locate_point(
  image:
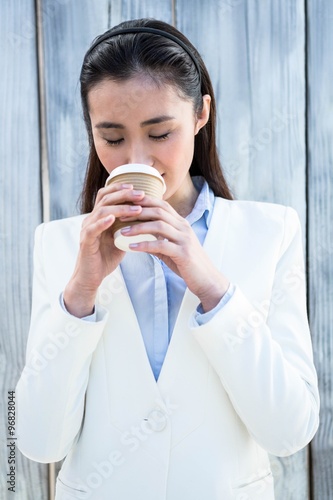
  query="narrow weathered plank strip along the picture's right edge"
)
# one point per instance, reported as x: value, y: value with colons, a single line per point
x: 320, y: 196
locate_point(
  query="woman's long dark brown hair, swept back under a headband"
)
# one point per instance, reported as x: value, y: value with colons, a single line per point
x: 124, y: 56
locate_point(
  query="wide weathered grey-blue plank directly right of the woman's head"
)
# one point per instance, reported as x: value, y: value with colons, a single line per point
x: 254, y: 52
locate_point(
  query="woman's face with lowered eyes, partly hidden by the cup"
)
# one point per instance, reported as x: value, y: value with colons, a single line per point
x: 137, y: 121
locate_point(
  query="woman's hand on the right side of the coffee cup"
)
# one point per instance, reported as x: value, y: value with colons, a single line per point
x: 180, y: 249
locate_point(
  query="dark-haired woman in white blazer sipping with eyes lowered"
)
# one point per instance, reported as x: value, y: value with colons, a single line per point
x: 170, y: 371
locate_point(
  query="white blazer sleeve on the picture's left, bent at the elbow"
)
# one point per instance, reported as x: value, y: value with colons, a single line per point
x: 50, y: 393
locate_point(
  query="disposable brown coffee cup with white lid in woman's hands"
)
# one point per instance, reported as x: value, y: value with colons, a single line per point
x: 143, y: 178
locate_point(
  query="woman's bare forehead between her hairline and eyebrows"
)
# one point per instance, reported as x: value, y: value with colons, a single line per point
x: 136, y: 96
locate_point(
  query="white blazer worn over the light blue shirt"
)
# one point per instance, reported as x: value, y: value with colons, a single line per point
x: 230, y: 391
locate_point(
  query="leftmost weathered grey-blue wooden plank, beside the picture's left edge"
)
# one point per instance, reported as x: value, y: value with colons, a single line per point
x: 20, y: 213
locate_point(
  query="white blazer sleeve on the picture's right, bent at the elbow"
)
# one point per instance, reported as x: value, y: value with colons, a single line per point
x: 263, y: 354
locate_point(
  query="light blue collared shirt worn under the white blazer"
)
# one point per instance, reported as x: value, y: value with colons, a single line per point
x: 156, y: 292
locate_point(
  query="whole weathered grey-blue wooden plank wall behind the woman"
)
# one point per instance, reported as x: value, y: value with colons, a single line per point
x: 269, y: 63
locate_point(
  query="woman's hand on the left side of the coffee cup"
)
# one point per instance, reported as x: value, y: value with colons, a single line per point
x: 98, y: 256
